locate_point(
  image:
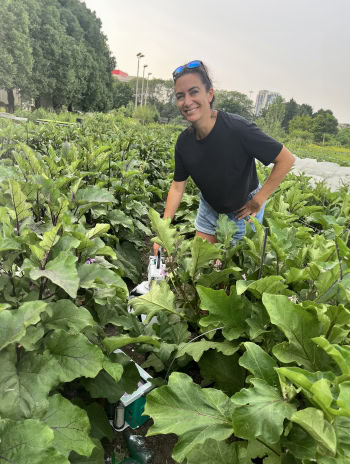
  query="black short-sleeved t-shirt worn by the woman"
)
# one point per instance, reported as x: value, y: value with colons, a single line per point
x: 223, y: 164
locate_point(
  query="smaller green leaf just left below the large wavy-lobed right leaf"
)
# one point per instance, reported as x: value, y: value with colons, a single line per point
x: 259, y: 363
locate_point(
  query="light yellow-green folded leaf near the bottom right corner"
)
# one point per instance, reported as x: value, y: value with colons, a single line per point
x: 312, y: 420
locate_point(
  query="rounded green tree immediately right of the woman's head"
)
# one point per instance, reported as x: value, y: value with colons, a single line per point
x: 234, y: 102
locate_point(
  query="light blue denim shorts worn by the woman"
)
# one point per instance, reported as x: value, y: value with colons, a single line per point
x: 207, y: 217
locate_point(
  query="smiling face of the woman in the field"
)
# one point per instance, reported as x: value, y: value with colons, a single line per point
x: 192, y: 98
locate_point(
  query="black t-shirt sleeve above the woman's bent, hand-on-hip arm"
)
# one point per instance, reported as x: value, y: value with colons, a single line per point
x: 258, y: 144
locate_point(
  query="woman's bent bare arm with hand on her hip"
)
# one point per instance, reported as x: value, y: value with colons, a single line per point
x: 282, y: 165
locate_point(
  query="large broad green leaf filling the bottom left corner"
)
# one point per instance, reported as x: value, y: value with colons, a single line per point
x: 28, y: 442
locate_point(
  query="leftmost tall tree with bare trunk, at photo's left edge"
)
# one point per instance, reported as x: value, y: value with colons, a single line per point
x: 15, y: 48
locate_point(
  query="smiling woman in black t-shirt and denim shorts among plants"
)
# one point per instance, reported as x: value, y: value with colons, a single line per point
x: 218, y: 151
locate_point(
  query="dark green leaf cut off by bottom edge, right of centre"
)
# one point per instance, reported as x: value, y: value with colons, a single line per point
x: 216, y: 452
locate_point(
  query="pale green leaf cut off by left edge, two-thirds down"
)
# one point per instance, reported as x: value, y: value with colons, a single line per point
x: 13, y: 322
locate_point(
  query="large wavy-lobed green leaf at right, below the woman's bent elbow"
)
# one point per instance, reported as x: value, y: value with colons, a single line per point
x: 299, y: 324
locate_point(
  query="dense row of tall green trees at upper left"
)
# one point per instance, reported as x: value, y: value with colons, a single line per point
x: 55, y: 52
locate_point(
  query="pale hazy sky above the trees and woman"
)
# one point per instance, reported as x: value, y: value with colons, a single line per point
x: 299, y: 48
